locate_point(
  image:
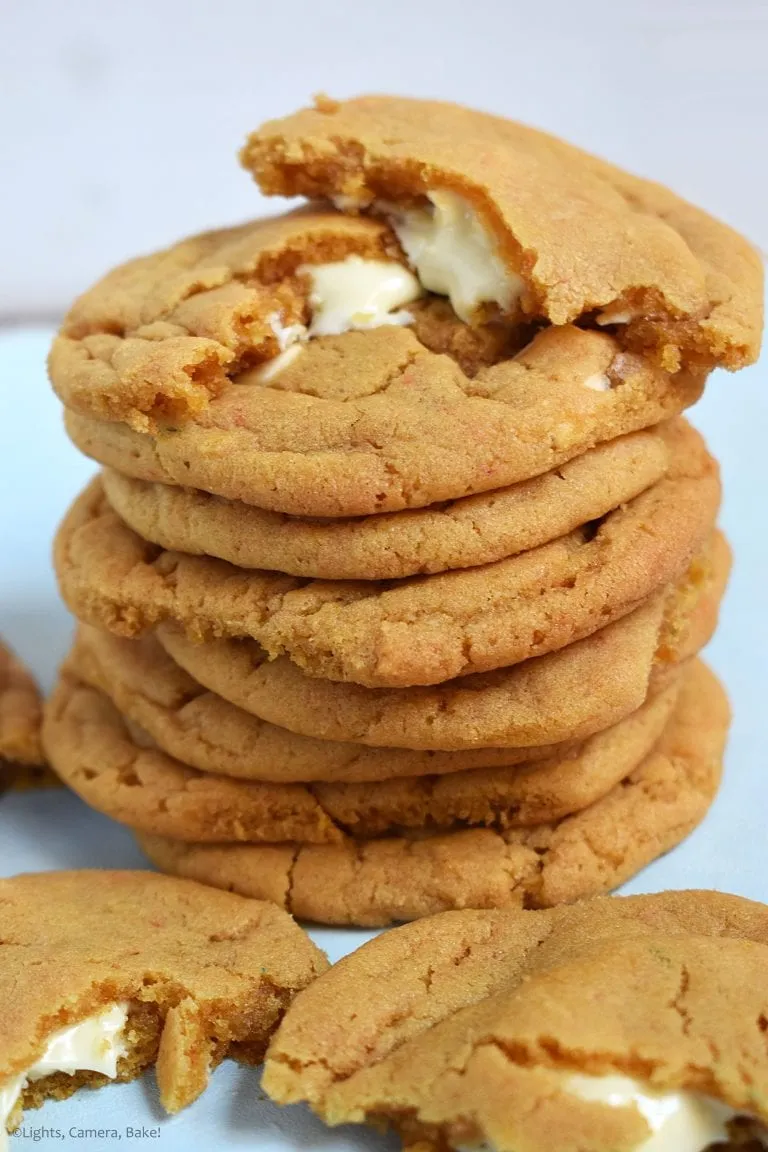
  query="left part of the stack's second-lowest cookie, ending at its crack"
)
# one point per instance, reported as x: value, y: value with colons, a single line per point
x: 113, y: 770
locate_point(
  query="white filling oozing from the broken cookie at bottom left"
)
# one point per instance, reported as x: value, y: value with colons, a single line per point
x: 95, y: 1045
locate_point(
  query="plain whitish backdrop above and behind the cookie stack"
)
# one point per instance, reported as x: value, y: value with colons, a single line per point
x: 119, y: 119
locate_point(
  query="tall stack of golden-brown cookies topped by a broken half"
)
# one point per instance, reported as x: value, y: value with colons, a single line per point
x: 394, y: 580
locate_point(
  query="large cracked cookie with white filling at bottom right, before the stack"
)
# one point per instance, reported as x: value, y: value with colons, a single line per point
x: 478, y: 1035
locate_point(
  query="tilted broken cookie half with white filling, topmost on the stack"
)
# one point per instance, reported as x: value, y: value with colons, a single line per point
x: 536, y: 226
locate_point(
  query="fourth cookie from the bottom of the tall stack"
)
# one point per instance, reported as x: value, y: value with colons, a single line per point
x: 568, y: 695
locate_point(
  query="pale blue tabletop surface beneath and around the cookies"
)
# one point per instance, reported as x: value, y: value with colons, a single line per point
x: 41, y: 473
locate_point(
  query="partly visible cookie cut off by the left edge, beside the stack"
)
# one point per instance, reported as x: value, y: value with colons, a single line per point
x: 22, y: 763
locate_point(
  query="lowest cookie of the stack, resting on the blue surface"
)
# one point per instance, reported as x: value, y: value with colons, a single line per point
x: 378, y: 882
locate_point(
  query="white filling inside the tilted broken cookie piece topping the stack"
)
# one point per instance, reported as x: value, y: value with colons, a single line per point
x: 454, y: 254
